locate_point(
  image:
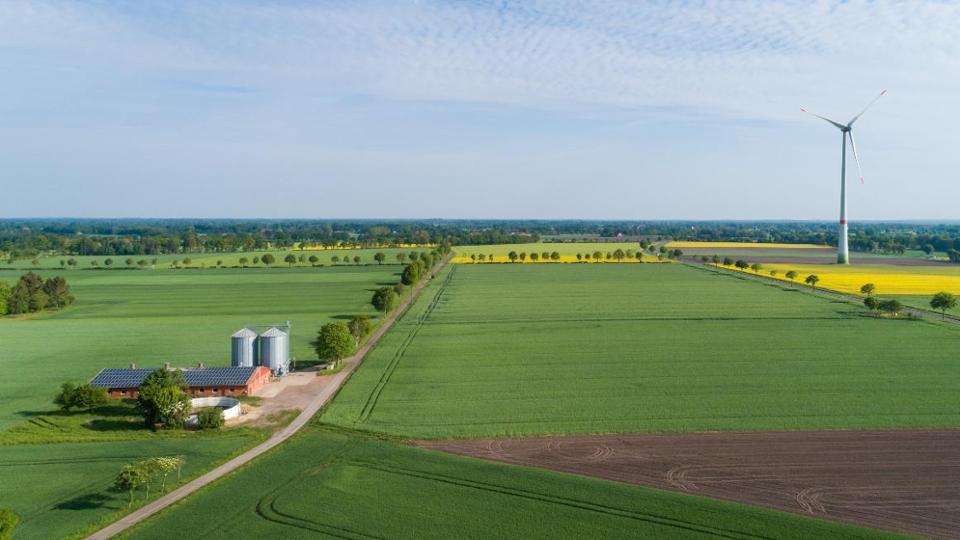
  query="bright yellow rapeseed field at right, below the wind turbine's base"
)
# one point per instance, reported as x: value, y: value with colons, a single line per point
x: 889, y: 279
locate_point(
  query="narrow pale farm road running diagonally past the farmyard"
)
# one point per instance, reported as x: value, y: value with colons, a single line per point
x: 319, y: 400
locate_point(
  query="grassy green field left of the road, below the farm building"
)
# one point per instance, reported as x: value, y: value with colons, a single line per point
x: 59, y: 490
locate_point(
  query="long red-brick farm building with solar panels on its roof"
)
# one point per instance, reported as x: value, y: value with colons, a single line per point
x: 202, y: 381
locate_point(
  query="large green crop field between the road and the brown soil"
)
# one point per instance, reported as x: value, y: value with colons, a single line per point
x: 494, y: 350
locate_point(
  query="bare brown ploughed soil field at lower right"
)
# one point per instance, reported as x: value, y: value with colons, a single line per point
x: 905, y: 481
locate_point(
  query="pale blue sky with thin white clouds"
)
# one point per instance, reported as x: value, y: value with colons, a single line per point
x: 601, y: 109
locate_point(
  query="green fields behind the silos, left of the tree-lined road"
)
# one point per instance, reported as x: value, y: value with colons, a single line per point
x: 177, y: 316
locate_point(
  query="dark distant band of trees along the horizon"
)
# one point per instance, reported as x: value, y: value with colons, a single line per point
x: 31, y: 237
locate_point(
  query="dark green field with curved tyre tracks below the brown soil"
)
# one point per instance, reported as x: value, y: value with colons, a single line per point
x: 330, y: 484
